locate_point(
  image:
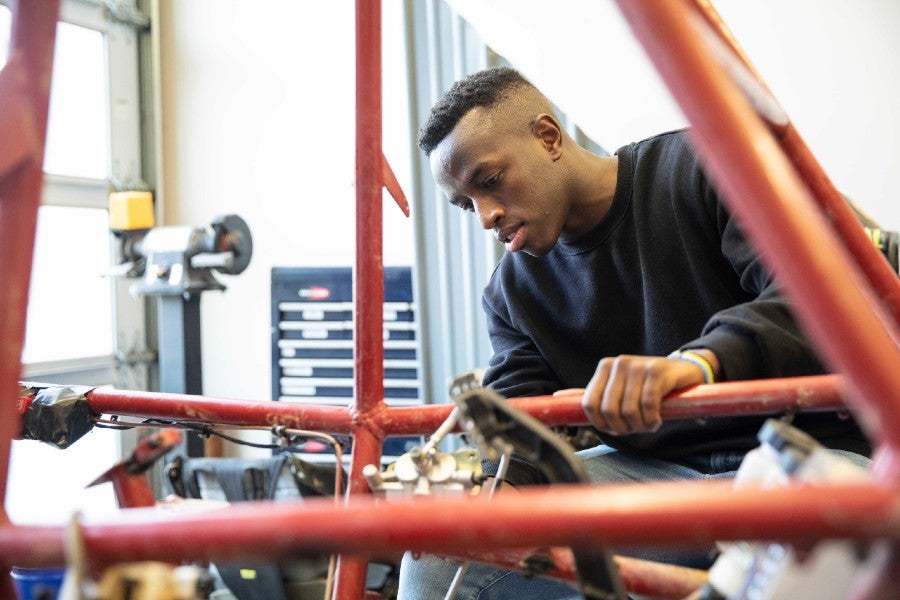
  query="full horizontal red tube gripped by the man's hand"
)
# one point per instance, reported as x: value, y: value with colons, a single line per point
x: 757, y: 397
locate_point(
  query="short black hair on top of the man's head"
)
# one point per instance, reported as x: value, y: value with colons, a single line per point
x: 484, y: 88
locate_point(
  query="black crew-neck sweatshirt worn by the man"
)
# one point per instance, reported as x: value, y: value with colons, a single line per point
x: 666, y: 269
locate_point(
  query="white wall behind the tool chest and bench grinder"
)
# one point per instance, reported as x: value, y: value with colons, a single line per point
x: 258, y: 119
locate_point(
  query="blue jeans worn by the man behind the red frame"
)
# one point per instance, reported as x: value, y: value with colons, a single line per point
x: 429, y: 577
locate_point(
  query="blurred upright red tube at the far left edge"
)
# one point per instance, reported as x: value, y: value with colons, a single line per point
x: 32, y: 40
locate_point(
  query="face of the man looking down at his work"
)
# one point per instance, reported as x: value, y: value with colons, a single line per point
x: 506, y: 176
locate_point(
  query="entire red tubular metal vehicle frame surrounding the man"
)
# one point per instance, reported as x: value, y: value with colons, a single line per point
x: 754, y: 163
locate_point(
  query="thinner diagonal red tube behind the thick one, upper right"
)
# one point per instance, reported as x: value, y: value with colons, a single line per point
x: 873, y: 264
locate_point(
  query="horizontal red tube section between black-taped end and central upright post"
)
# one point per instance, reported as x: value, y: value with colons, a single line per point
x: 204, y: 409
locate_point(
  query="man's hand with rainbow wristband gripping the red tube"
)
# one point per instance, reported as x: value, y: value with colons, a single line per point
x: 625, y: 392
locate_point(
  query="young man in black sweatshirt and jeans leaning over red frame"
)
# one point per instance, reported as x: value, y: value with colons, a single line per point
x: 624, y: 274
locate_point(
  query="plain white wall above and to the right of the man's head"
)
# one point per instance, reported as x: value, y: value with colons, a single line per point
x: 834, y: 66
